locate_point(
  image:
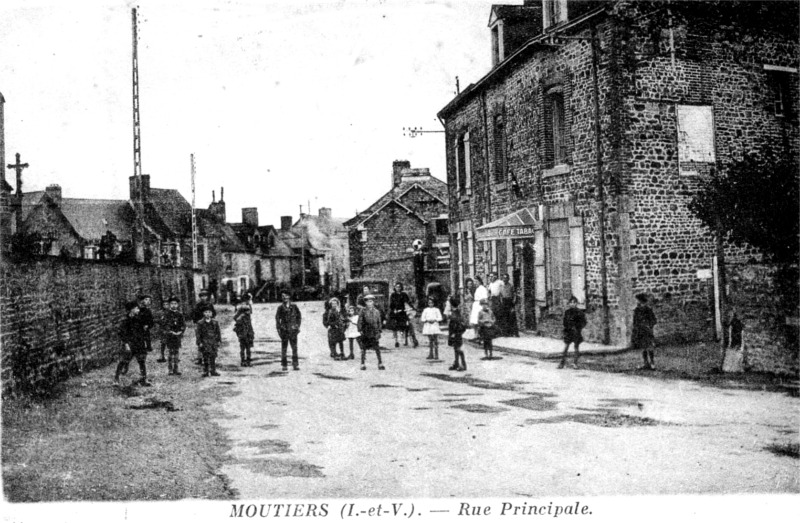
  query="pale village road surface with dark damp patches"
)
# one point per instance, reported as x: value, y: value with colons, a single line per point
x: 514, y: 426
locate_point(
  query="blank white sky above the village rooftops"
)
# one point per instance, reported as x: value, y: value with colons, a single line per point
x: 283, y: 103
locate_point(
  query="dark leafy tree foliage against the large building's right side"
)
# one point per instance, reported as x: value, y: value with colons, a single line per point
x: 755, y: 201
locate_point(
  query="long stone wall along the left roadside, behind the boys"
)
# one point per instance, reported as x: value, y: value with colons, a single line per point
x: 60, y: 317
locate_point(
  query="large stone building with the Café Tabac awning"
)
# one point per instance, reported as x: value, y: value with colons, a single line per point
x: 571, y: 162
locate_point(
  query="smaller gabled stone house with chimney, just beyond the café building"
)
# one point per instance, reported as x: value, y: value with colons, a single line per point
x: 383, y: 236
